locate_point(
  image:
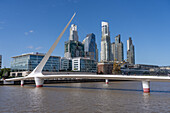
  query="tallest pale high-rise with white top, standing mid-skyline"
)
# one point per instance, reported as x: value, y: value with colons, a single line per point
x: 105, y: 42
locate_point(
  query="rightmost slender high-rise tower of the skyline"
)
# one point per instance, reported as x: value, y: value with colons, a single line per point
x: 130, y: 52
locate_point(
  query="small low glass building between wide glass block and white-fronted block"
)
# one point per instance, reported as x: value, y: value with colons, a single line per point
x: 65, y: 64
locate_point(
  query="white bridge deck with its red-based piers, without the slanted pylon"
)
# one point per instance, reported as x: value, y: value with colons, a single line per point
x: 39, y: 79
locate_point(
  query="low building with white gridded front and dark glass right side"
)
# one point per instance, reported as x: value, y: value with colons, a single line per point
x: 84, y: 65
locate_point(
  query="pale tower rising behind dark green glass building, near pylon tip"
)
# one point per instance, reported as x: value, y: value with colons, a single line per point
x: 73, y: 33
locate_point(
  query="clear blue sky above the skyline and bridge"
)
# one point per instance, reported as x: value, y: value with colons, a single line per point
x: 33, y: 25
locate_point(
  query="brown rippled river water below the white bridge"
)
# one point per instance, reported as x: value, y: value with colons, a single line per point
x: 94, y: 97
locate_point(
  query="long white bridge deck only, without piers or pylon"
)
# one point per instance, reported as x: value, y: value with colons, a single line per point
x: 115, y: 77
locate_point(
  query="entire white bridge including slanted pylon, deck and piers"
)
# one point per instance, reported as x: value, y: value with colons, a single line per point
x: 37, y: 75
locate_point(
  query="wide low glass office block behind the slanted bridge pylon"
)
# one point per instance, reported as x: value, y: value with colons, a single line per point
x: 23, y: 64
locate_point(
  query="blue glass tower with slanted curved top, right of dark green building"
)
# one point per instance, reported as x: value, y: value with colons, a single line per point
x: 90, y: 46
